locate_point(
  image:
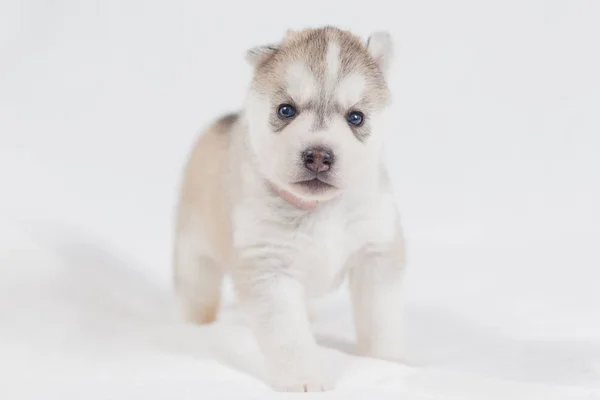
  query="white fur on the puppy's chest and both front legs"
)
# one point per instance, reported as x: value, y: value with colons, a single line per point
x: 285, y: 265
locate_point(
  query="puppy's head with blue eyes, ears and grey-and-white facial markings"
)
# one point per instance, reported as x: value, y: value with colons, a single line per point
x: 316, y: 110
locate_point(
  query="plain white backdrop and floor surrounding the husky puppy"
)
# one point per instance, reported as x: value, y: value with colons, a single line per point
x: 495, y: 159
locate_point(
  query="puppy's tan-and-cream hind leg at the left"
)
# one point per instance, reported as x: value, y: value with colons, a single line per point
x: 198, y: 280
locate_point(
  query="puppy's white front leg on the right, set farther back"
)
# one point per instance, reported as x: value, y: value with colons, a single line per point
x: 375, y: 284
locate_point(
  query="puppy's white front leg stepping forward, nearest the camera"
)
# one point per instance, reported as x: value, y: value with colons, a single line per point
x: 275, y: 303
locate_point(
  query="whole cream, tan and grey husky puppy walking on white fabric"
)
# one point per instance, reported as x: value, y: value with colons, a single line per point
x: 291, y: 195
